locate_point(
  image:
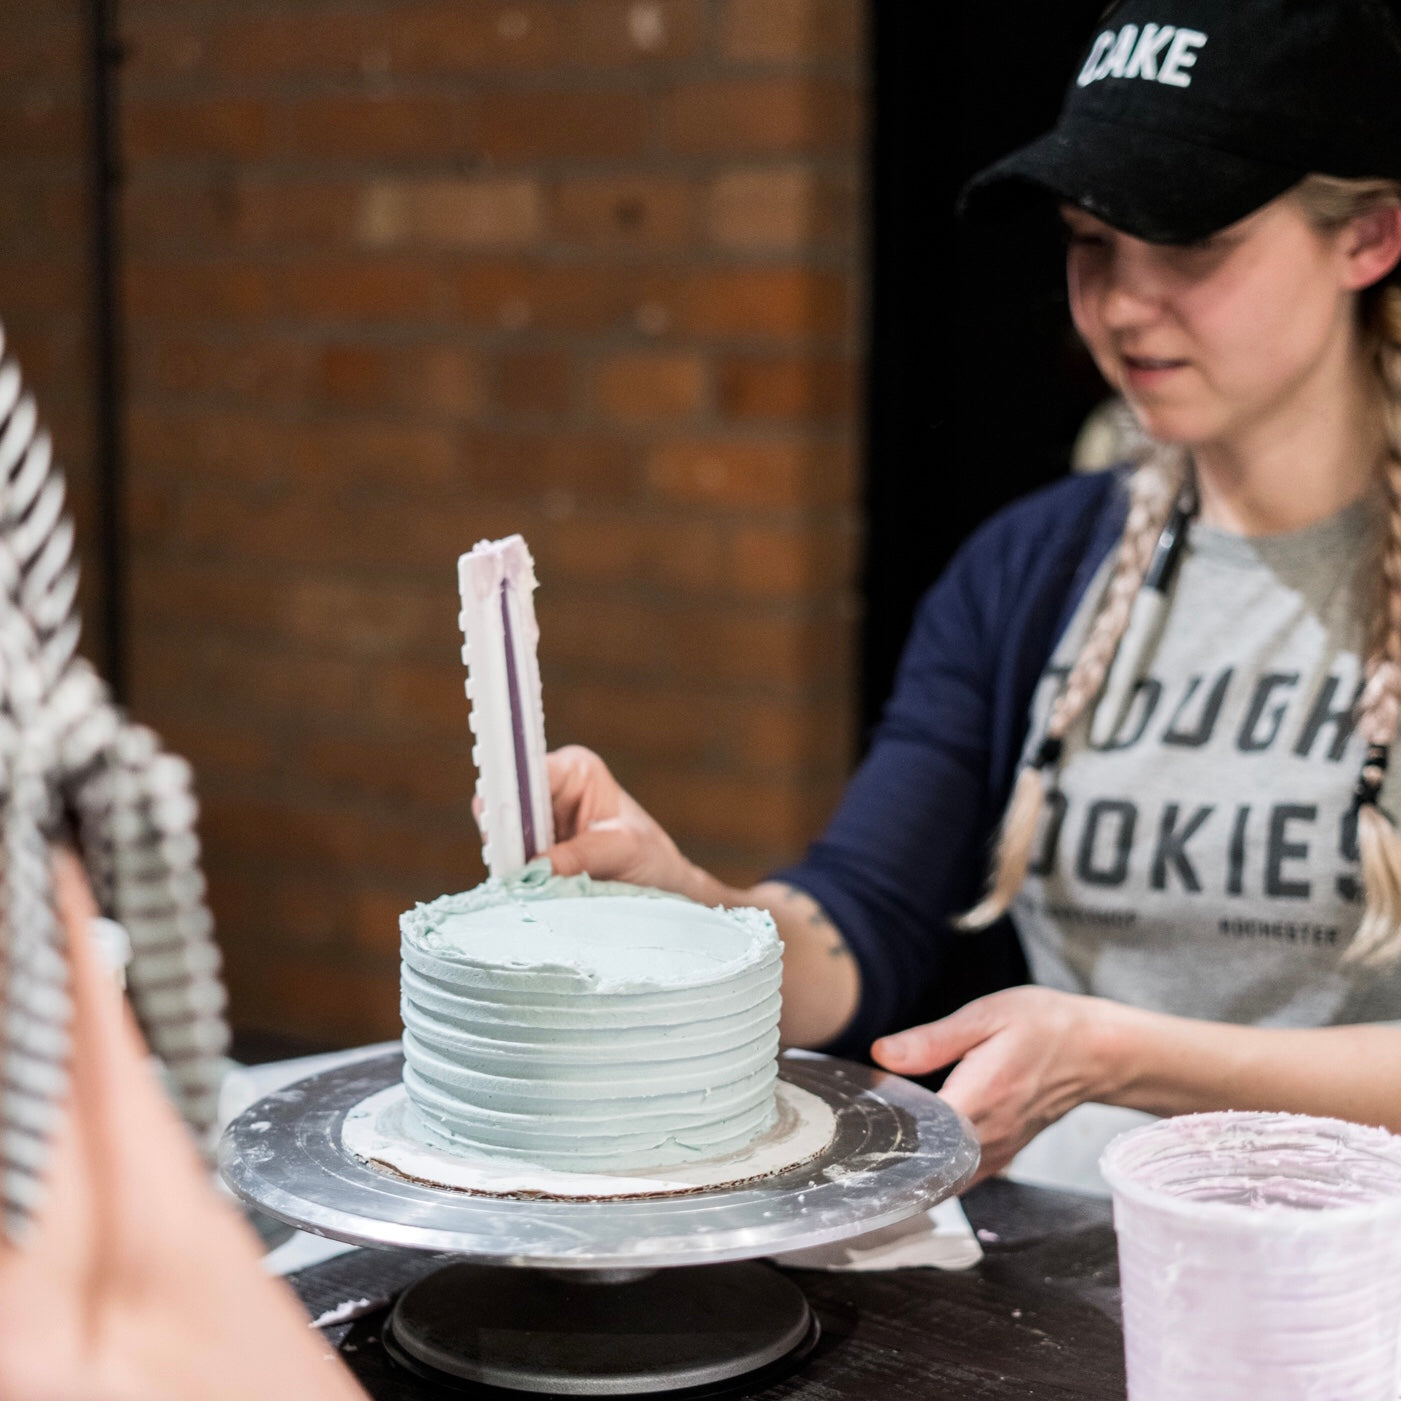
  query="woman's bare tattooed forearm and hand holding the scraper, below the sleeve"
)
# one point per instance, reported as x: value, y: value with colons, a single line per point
x: 610, y: 836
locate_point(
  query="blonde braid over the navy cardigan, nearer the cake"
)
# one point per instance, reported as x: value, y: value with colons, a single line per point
x: 1154, y: 492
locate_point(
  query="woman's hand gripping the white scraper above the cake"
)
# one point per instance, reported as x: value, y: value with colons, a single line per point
x: 603, y: 831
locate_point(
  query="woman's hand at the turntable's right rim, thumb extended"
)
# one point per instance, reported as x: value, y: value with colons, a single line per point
x: 1026, y: 1057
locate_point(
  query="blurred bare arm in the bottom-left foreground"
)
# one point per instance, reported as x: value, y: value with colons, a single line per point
x: 137, y: 1283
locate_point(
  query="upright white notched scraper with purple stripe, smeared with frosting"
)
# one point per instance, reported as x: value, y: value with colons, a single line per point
x: 501, y: 635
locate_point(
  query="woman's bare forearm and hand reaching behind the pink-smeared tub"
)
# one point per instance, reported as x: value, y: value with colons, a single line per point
x: 1028, y: 1056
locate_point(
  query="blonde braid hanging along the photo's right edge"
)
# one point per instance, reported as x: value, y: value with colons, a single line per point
x: 1379, y: 710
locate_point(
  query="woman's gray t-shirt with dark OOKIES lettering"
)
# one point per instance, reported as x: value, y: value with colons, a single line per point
x: 1204, y: 862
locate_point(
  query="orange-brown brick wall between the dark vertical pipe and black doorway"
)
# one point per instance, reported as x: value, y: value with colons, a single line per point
x: 404, y: 275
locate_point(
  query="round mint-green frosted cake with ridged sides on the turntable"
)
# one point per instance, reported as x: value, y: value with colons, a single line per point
x: 589, y: 1026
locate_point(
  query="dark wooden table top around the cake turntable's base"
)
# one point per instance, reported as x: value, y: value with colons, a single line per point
x: 1037, y: 1319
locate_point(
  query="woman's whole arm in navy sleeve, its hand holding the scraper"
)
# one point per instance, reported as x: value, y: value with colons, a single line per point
x: 907, y: 848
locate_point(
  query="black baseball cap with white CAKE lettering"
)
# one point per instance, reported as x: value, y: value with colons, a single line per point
x: 1187, y: 116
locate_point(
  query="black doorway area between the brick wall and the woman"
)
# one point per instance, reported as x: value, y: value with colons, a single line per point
x: 977, y: 387
